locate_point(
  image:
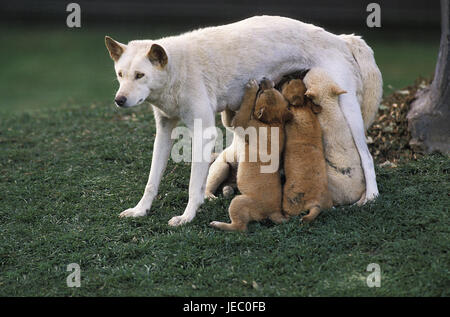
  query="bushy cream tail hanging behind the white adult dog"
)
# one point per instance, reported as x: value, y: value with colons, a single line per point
x: 371, y: 77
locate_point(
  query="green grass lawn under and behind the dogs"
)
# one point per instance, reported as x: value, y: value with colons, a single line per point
x: 70, y: 162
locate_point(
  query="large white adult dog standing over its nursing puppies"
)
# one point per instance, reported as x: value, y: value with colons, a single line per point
x: 194, y: 75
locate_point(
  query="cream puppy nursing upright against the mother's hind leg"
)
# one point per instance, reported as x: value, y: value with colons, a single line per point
x: 346, y: 181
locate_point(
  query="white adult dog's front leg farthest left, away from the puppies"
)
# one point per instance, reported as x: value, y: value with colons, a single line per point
x: 161, y: 150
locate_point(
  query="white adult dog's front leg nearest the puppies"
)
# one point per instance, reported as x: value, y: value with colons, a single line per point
x: 202, y: 125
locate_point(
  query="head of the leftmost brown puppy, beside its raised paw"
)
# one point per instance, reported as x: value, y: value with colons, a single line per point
x: 271, y: 106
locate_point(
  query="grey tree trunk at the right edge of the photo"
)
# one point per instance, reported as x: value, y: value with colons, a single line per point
x: 429, y: 116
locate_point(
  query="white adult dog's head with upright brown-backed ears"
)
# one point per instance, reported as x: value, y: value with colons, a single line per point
x: 141, y: 69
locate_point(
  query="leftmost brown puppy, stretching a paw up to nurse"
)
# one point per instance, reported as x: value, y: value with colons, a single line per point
x: 261, y: 191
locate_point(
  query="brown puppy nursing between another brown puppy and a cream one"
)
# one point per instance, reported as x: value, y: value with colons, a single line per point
x: 306, y: 186
